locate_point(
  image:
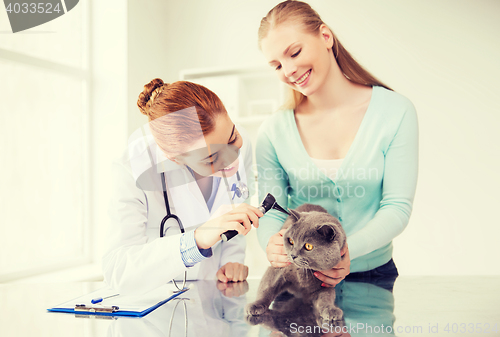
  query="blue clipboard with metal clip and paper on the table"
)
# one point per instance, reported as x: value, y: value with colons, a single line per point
x: 118, y: 306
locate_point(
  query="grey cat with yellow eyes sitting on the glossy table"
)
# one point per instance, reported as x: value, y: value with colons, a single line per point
x: 313, y: 242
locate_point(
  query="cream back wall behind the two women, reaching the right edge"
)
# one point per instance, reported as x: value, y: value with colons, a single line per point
x: 440, y: 54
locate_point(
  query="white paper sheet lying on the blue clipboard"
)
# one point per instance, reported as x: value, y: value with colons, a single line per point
x: 128, y: 305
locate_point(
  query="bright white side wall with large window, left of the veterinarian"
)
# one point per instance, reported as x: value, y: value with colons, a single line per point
x: 88, y: 44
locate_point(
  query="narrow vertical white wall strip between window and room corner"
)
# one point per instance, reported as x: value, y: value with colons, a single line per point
x: 109, y: 107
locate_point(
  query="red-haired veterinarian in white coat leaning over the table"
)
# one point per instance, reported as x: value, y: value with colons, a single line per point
x: 138, y: 259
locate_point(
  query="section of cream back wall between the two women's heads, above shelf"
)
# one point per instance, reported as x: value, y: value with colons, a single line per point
x: 168, y: 36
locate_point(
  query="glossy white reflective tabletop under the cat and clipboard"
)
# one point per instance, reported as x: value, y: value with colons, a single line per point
x: 427, y: 302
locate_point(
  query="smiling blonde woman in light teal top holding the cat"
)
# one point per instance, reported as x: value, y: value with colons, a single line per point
x: 346, y: 142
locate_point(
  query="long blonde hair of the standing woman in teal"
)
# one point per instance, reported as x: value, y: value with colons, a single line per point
x: 302, y: 13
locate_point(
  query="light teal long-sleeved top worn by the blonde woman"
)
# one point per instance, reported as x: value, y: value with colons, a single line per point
x: 373, y: 193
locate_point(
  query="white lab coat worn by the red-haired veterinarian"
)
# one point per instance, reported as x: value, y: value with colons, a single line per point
x: 137, y: 259
